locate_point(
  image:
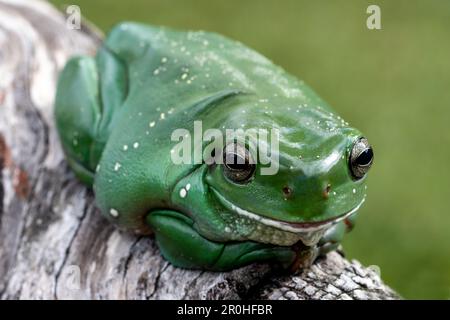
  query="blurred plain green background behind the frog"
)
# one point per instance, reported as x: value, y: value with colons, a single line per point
x: 393, y: 84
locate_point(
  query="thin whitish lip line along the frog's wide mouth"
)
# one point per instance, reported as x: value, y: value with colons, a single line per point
x: 306, y: 227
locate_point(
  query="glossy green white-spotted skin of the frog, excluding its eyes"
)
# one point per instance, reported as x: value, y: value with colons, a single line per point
x: 115, y: 114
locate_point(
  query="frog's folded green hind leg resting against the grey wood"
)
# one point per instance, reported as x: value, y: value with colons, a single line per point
x: 89, y: 90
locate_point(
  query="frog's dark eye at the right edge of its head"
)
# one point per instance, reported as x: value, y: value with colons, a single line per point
x: 361, y: 158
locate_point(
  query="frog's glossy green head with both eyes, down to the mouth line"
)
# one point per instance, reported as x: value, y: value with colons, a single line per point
x: 321, y: 174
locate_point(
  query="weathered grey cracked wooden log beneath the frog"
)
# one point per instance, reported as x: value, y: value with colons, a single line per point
x: 53, y: 242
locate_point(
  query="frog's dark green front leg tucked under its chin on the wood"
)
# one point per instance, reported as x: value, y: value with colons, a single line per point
x: 181, y: 244
